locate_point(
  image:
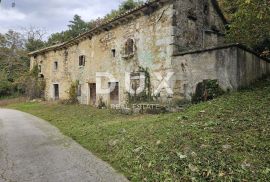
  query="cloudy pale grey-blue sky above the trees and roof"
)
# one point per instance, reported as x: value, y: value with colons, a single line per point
x: 53, y: 15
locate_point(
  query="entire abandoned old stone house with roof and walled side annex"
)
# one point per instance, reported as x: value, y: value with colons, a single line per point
x: 183, y: 37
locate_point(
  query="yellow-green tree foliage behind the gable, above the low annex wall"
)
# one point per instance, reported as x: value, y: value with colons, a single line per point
x: 250, y: 23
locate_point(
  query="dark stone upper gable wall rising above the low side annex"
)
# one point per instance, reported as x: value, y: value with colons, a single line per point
x: 196, y: 25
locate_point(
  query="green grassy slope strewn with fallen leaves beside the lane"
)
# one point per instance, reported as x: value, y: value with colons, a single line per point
x: 227, y: 139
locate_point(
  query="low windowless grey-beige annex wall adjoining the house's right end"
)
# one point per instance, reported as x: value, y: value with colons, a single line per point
x: 233, y: 67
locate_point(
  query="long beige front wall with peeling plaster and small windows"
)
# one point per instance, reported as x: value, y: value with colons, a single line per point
x: 153, y: 50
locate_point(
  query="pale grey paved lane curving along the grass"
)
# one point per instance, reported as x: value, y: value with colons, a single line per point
x: 33, y: 150
